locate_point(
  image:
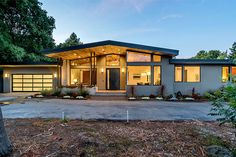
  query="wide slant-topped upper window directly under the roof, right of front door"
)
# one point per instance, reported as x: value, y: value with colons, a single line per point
x: 138, y: 57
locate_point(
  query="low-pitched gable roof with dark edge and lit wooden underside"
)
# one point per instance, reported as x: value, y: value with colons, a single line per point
x: 105, y: 48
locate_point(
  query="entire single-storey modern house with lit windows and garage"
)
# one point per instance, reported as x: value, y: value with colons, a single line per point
x: 117, y: 66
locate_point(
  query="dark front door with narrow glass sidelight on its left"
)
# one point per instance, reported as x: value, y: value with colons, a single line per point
x: 113, y: 78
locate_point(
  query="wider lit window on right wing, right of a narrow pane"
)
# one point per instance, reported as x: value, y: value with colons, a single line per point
x: 192, y: 74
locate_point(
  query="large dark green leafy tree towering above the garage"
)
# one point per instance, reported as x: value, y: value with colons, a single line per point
x: 25, y: 30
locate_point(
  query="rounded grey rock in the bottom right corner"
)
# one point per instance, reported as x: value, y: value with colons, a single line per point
x: 218, y: 151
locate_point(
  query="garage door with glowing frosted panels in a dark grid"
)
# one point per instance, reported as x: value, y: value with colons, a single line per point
x: 31, y: 83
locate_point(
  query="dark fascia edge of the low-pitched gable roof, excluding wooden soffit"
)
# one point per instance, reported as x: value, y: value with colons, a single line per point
x: 165, y: 51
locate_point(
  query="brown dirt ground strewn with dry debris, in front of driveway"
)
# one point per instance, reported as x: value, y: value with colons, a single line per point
x: 52, y: 137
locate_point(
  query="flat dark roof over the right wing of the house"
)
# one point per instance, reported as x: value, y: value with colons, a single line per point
x: 202, y: 61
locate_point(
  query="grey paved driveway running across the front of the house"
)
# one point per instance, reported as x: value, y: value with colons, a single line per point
x: 91, y: 109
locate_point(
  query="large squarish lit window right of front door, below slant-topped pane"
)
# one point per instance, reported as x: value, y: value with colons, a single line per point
x: 139, y: 75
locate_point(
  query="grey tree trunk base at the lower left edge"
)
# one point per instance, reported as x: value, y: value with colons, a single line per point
x: 5, y: 145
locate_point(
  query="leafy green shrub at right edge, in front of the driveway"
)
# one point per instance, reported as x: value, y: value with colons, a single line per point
x: 224, y: 105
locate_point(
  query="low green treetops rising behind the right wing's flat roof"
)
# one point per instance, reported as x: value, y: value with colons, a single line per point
x: 212, y: 54
